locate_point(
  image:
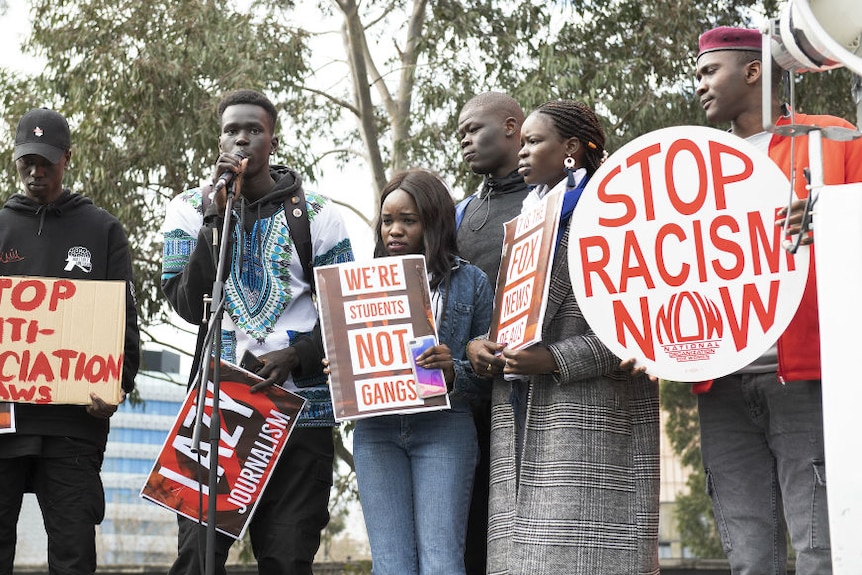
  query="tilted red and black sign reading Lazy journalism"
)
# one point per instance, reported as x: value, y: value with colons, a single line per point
x: 254, y: 428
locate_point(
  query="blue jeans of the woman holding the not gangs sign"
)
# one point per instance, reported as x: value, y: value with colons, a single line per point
x: 415, y: 476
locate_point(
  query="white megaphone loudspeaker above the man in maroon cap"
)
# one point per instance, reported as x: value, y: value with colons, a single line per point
x: 819, y: 35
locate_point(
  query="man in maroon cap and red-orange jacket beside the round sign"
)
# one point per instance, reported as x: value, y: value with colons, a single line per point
x: 762, y: 427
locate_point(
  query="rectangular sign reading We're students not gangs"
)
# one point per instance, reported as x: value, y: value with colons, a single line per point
x: 369, y: 311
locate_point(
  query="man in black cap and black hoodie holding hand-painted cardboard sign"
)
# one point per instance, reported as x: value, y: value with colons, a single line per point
x: 56, y: 450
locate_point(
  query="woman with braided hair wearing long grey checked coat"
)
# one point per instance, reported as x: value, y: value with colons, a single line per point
x: 574, y: 437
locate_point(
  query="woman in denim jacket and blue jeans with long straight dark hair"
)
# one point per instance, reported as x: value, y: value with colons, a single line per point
x: 415, y: 471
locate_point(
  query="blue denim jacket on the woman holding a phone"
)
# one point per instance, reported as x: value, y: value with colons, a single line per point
x: 467, y: 315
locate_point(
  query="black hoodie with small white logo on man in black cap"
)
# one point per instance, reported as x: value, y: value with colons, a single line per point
x: 37, y: 240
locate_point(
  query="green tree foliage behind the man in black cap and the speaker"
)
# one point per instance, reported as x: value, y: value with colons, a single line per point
x: 140, y: 94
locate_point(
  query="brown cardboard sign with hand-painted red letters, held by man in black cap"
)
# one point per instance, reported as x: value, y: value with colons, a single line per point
x: 61, y: 339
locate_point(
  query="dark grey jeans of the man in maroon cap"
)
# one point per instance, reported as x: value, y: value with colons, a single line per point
x: 762, y: 446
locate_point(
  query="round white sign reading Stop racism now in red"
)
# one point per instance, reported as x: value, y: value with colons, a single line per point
x: 675, y: 258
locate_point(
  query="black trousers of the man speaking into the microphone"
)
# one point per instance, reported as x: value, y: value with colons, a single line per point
x: 291, y: 513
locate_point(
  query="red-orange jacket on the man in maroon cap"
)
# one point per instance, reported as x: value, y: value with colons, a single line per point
x: 799, y: 345
